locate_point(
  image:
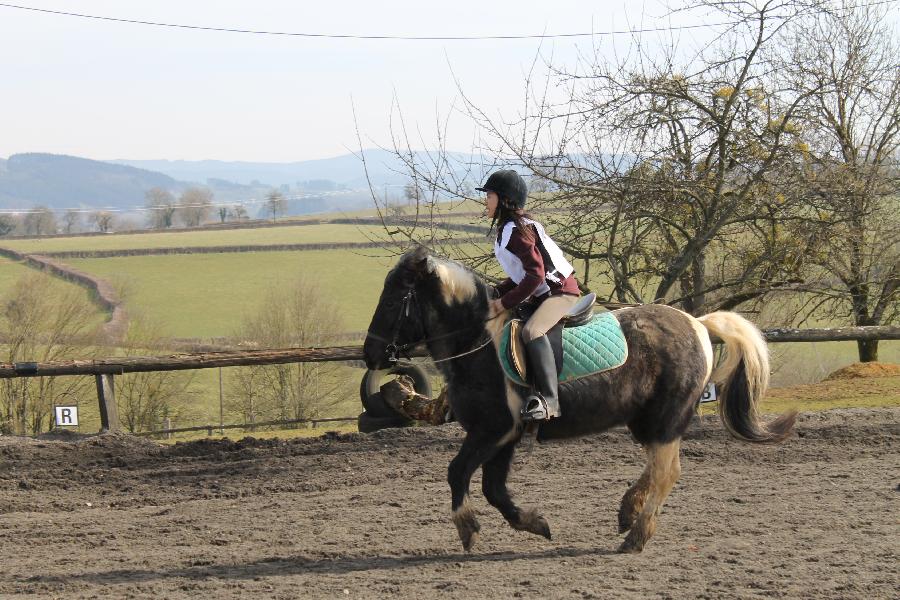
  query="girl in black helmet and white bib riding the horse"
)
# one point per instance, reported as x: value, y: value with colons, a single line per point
x: 537, y: 269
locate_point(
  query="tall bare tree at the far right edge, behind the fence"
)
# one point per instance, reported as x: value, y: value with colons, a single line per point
x: 848, y: 60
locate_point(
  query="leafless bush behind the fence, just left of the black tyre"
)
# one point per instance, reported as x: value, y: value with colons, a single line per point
x: 297, y: 315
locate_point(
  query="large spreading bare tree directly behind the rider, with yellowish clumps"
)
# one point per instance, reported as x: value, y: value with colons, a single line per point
x: 667, y: 169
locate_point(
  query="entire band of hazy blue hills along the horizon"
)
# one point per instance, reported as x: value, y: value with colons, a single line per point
x: 340, y: 183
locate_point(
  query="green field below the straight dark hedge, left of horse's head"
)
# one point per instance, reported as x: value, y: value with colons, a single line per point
x: 207, y: 295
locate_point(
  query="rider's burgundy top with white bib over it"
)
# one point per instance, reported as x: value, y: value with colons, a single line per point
x: 534, y: 267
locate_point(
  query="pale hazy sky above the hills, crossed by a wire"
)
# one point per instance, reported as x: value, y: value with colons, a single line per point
x: 108, y: 90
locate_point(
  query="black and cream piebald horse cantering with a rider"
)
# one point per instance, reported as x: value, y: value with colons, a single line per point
x: 439, y: 303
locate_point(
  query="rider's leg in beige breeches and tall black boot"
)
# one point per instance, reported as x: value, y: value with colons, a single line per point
x: 543, y: 402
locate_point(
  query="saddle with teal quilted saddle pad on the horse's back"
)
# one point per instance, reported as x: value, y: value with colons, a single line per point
x: 583, y: 344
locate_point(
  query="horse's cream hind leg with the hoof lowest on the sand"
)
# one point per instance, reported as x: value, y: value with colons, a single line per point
x: 664, y: 468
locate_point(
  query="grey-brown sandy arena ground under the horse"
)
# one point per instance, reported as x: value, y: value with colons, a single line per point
x: 367, y: 516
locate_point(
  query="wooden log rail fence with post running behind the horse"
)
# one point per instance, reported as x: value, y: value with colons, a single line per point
x: 105, y: 369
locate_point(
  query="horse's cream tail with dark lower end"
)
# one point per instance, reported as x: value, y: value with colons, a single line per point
x: 744, y: 378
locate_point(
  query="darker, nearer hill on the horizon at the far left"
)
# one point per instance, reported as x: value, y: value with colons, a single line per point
x: 60, y: 181
